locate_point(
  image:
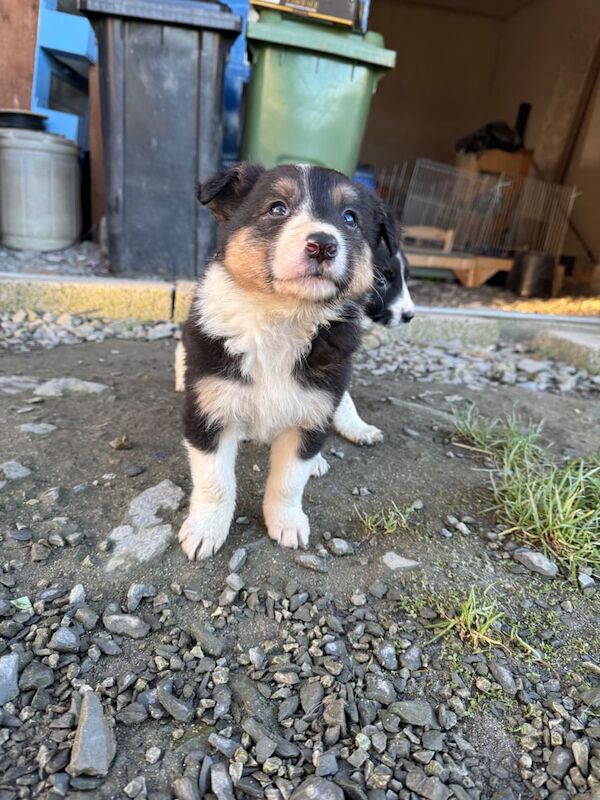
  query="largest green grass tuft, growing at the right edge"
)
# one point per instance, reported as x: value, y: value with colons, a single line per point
x: 551, y: 506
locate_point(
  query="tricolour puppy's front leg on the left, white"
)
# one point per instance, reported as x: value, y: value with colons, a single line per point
x: 213, y: 496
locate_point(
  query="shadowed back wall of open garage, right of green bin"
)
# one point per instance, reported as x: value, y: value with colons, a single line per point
x: 440, y: 87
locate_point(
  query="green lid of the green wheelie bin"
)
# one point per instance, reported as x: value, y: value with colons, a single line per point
x: 277, y: 29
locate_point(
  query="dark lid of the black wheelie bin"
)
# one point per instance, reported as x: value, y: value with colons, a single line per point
x: 190, y: 13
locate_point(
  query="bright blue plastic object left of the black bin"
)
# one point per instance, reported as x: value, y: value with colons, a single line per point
x: 64, y: 41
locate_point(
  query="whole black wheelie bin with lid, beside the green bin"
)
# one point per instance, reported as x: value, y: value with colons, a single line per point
x: 161, y: 88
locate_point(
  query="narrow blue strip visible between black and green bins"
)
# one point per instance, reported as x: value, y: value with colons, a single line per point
x: 237, y: 75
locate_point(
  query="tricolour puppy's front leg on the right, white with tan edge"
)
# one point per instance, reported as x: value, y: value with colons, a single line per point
x: 293, y: 455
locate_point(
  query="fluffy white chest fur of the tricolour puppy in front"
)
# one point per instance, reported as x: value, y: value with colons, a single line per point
x: 269, y: 343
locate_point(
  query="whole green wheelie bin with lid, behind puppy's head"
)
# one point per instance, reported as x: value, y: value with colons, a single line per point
x: 310, y: 92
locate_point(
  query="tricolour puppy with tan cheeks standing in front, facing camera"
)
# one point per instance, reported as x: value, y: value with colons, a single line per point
x: 268, y: 344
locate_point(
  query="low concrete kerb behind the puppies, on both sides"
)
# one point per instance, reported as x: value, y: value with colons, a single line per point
x: 161, y: 301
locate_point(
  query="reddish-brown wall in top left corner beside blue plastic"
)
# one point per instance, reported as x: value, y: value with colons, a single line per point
x: 18, y: 35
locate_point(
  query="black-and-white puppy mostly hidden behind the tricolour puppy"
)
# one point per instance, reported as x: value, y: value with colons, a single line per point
x: 388, y: 303
